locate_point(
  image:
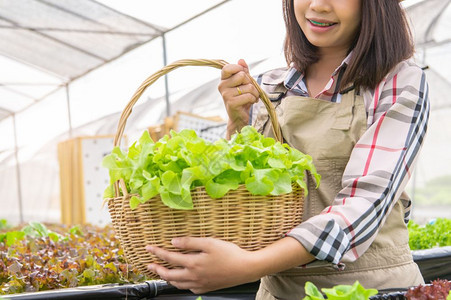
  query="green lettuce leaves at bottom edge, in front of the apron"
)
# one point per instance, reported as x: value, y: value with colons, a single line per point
x: 339, y: 292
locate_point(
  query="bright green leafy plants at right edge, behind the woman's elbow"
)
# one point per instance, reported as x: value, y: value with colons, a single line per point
x: 436, y: 233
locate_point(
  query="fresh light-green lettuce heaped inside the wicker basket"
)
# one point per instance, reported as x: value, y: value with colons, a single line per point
x: 174, y: 165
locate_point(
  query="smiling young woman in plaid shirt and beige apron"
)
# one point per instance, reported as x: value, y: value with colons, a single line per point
x: 353, y: 99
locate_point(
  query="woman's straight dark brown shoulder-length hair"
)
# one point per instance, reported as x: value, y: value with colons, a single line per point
x: 384, y: 40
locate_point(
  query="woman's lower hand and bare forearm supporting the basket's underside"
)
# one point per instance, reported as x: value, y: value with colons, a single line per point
x: 217, y: 264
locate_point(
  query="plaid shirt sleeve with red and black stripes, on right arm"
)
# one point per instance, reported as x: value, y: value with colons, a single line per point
x: 378, y: 169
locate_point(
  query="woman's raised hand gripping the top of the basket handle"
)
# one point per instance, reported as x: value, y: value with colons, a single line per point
x: 238, y: 93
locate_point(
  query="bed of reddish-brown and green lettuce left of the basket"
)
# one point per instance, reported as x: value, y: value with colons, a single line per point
x: 81, y: 255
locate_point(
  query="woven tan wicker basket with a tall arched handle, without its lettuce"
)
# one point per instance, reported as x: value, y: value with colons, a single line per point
x: 252, y: 222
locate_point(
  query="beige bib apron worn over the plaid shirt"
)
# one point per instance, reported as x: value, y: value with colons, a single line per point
x: 328, y: 132
